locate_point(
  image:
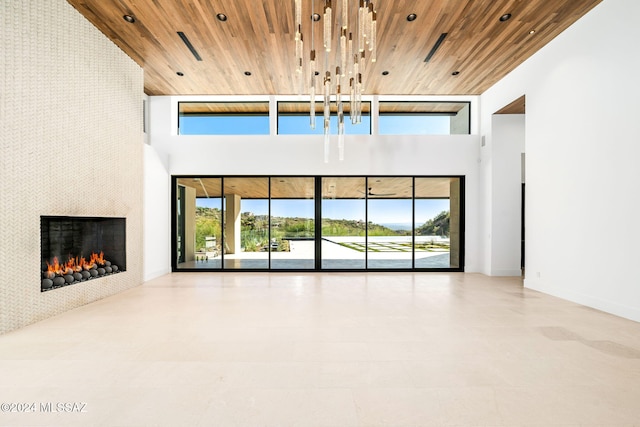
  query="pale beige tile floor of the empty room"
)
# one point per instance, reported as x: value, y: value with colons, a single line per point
x: 339, y: 350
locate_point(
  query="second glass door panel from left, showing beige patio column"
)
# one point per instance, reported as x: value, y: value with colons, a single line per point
x: 246, y: 223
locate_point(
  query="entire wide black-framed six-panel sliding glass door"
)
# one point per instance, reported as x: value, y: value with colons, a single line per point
x: 298, y: 223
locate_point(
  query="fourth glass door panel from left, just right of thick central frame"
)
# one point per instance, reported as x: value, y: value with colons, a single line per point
x: 344, y: 223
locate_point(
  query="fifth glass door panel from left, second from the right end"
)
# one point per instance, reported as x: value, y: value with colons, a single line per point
x: 390, y: 220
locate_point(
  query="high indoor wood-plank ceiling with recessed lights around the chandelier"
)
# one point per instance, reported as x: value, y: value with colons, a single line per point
x: 258, y: 37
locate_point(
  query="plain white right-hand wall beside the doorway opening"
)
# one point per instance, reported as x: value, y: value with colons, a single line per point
x: 582, y: 174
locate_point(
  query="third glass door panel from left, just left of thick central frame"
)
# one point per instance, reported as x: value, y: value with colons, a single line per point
x: 292, y: 238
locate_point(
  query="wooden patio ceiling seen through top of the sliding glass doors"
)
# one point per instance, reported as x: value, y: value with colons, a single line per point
x: 332, y: 188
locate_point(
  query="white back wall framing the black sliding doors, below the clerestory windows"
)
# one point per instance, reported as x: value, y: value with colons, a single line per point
x: 303, y: 155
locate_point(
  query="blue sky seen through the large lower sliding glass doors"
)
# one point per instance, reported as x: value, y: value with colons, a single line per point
x: 380, y: 210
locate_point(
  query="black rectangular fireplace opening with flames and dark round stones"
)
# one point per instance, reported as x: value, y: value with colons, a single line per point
x: 78, y: 249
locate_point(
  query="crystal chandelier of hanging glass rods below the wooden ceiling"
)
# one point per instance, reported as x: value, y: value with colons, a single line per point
x: 349, y: 43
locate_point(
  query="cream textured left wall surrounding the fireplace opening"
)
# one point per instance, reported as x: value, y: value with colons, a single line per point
x: 71, y: 144
